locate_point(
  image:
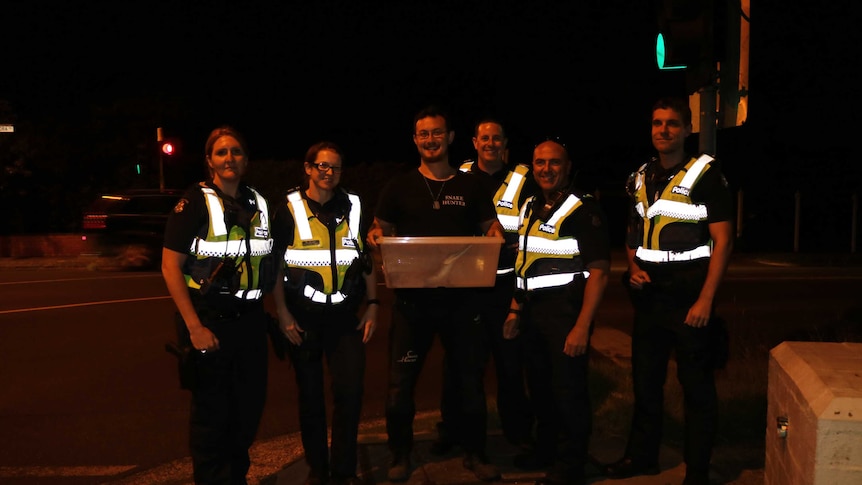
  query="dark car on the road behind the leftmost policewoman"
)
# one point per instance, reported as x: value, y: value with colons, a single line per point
x: 130, y: 225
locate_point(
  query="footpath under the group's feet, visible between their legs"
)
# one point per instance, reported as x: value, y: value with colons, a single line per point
x: 279, y: 461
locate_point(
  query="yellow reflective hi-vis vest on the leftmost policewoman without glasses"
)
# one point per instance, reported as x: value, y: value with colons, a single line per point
x: 232, y: 242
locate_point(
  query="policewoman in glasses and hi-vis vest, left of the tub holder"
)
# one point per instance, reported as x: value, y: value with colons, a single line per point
x: 327, y: 274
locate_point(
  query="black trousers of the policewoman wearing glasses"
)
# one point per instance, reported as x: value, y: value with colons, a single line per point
x: 331, y: 335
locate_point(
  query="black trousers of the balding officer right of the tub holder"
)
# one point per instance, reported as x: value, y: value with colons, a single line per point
x: 558, y: 384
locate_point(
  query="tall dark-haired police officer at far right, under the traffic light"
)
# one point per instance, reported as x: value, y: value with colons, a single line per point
x: 679, y: 244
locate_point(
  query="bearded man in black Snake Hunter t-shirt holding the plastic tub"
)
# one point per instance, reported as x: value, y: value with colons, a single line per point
x: 435, y: 200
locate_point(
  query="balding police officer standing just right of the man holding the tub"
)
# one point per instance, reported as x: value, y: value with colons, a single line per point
x: 562, y: 270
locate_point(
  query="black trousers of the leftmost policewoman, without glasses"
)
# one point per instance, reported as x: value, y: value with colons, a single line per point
x: 228, y: 399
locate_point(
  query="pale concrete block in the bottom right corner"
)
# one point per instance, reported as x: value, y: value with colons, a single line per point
x: 817, y: 388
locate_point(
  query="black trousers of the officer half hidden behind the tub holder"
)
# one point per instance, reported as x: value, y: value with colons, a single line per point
x: 513, y: 405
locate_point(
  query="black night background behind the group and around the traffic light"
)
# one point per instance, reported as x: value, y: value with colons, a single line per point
x: 87, y: 83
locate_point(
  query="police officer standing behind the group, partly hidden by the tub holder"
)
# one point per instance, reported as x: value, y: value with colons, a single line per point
x: 510, y: 187
